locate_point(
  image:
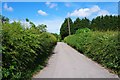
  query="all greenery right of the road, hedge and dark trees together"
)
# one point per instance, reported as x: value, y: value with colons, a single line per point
x: 98, y: 39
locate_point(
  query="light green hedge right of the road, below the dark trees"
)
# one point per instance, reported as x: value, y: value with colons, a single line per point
x: 102, y: 47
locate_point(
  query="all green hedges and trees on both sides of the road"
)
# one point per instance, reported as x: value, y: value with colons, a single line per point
x: 26, y: 49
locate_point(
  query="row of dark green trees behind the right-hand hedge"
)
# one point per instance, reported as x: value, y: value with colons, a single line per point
x: 100, y: 23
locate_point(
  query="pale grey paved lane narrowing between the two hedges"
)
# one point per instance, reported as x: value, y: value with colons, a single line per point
x: 68, y: 63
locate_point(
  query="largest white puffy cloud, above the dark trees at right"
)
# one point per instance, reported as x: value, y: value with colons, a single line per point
x: 87, y: 12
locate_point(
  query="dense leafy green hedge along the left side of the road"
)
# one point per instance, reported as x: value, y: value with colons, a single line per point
x: 23, y: 50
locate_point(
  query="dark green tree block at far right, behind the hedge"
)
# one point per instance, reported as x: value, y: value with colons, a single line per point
x: 104, y: 23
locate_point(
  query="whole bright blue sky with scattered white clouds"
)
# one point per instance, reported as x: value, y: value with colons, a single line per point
x: 53, y: 13
